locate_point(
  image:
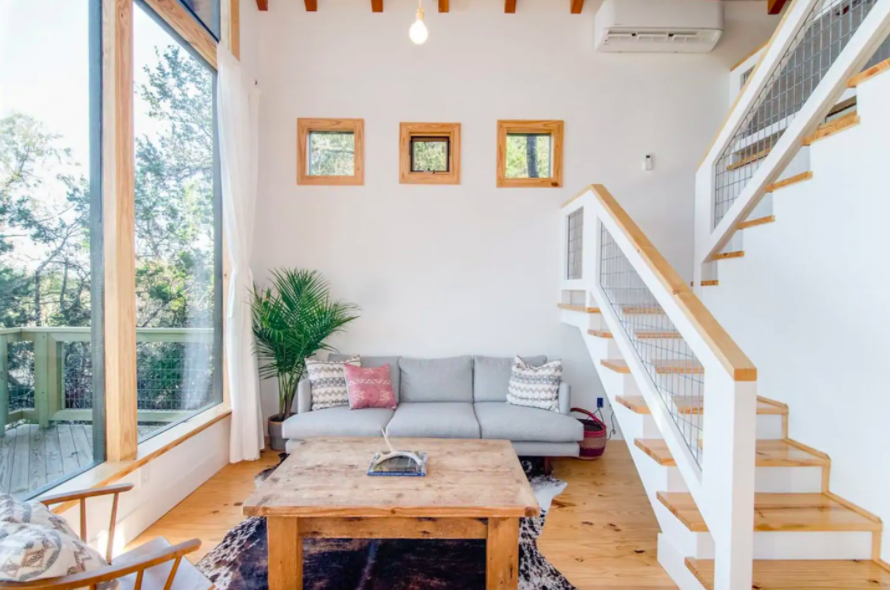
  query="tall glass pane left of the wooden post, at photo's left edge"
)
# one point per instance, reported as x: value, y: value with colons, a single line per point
x: 52, y: 425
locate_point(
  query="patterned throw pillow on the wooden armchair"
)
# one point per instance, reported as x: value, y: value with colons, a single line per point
x: 35, y: 544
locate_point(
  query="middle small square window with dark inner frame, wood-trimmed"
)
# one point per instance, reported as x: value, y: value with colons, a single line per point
x: 429, y: 153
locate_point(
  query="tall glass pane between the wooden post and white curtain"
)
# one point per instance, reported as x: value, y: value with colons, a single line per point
x: 178, y: 262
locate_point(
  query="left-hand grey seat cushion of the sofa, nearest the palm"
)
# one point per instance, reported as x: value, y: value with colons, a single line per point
x: 339, y: 421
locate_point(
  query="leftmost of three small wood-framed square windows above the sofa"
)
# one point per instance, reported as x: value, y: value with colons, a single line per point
x: 330, y: 151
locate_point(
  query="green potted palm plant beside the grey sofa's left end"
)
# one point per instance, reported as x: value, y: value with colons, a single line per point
x: 291, y: 321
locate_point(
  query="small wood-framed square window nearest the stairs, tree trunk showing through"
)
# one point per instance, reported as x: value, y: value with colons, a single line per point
x: 530, y: 154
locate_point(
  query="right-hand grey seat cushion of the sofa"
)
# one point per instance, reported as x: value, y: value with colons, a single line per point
x: 521, y: 424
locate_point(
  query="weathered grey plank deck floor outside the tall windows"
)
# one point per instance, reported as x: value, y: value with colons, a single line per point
x: 31, y: 457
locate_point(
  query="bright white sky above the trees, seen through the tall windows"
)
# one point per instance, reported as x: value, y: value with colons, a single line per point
x: 44, y: 65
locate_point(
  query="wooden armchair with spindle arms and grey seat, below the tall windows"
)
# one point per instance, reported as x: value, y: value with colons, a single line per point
x: 157, y: 565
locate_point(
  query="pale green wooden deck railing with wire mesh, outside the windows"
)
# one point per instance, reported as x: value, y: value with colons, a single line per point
x: 46, y: 374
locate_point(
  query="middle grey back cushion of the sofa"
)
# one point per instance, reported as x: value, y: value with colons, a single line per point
x: 437, y: 380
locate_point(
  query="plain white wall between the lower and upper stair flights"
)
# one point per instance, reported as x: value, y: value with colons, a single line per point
x: 808, y: 304
